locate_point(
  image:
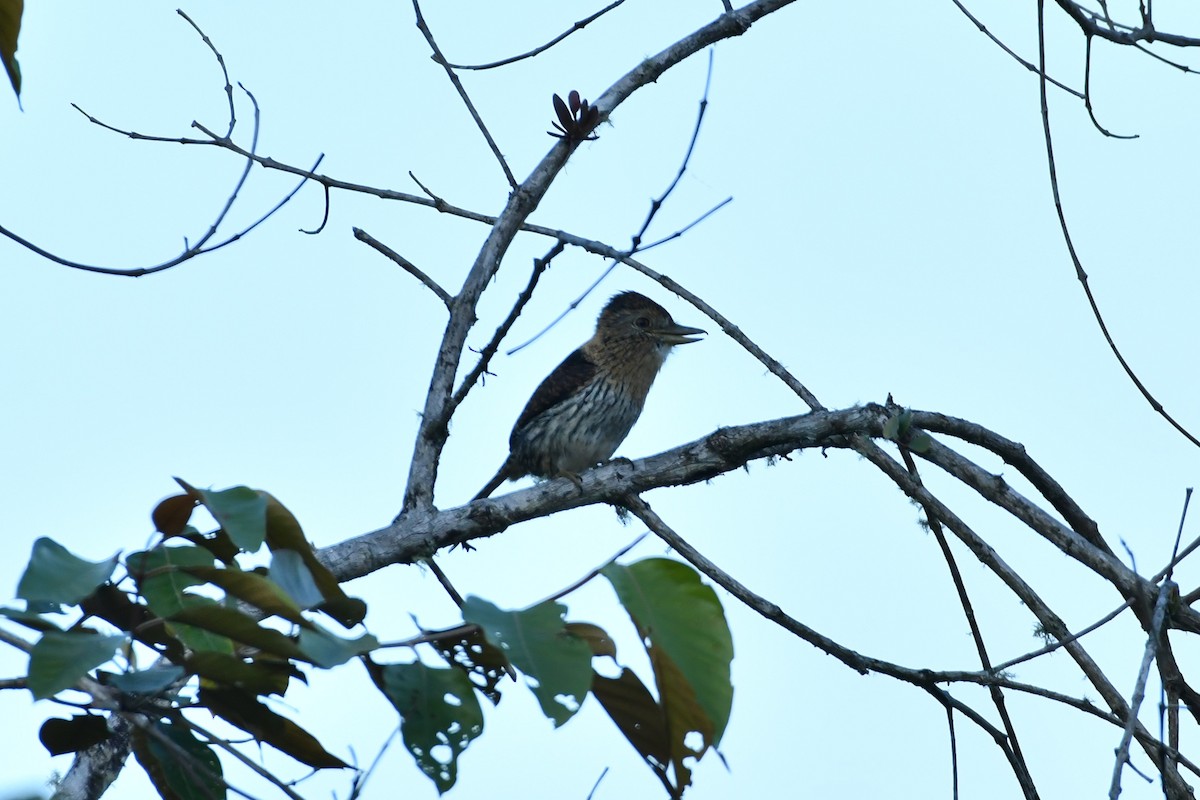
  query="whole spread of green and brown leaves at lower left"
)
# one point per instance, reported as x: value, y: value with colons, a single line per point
x: 230, y: 640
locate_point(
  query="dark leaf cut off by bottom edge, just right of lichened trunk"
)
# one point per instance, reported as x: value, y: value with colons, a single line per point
x: 184, y: 768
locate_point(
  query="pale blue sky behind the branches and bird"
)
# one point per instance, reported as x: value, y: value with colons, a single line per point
x: 892, y: 232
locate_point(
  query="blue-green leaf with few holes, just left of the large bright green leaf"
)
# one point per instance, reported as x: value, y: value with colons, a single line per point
x: 557, y: 664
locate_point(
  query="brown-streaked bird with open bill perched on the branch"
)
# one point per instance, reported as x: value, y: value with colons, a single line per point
x: 586, y: 407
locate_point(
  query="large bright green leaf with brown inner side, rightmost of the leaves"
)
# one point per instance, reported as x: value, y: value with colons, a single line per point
x: 689, y: 639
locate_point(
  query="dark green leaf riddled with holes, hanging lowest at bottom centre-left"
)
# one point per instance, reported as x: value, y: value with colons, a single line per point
x: 439, y: 712
